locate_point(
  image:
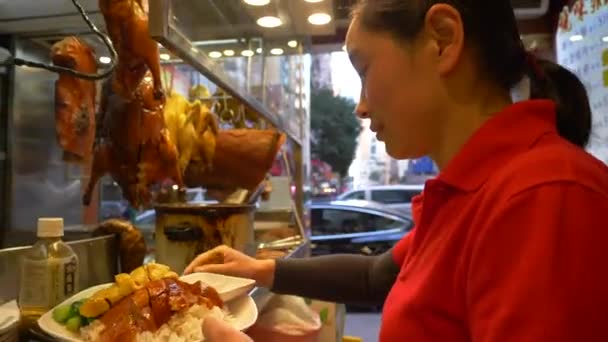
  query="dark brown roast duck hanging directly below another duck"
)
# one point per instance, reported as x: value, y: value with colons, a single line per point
x: 136, y: 149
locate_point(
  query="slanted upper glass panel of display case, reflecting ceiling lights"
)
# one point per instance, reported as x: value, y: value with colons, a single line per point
x: 224, y: 37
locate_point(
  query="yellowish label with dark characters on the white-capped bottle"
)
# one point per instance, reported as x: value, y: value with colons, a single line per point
x: 49, y: 282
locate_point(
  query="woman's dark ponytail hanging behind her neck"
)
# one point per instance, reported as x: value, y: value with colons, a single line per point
x: 551, y: 81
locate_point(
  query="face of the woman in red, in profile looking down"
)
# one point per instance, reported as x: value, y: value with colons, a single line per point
x: 400, y: 88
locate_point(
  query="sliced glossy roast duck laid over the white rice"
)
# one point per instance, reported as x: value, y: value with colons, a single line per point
x: 150, y: 307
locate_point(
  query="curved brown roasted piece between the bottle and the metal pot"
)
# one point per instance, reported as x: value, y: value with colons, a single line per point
x: 132, y: 245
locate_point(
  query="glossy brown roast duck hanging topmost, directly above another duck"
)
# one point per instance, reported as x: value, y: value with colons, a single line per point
x: 127, y: 25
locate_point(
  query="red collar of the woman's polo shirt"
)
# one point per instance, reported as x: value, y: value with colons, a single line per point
x: 505, y: 135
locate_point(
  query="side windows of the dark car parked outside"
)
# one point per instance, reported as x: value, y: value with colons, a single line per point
x: 338, y: 221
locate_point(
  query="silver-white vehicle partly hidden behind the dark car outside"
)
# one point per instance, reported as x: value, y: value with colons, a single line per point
x: 398, y: 197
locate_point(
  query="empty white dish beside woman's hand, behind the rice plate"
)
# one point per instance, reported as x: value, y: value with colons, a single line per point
x: 228, y: 287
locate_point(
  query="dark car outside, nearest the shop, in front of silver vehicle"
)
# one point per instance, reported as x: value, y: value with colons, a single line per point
x: 355, y: 226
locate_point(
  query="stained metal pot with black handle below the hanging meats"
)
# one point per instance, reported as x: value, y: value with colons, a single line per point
x: 186, y: 230
